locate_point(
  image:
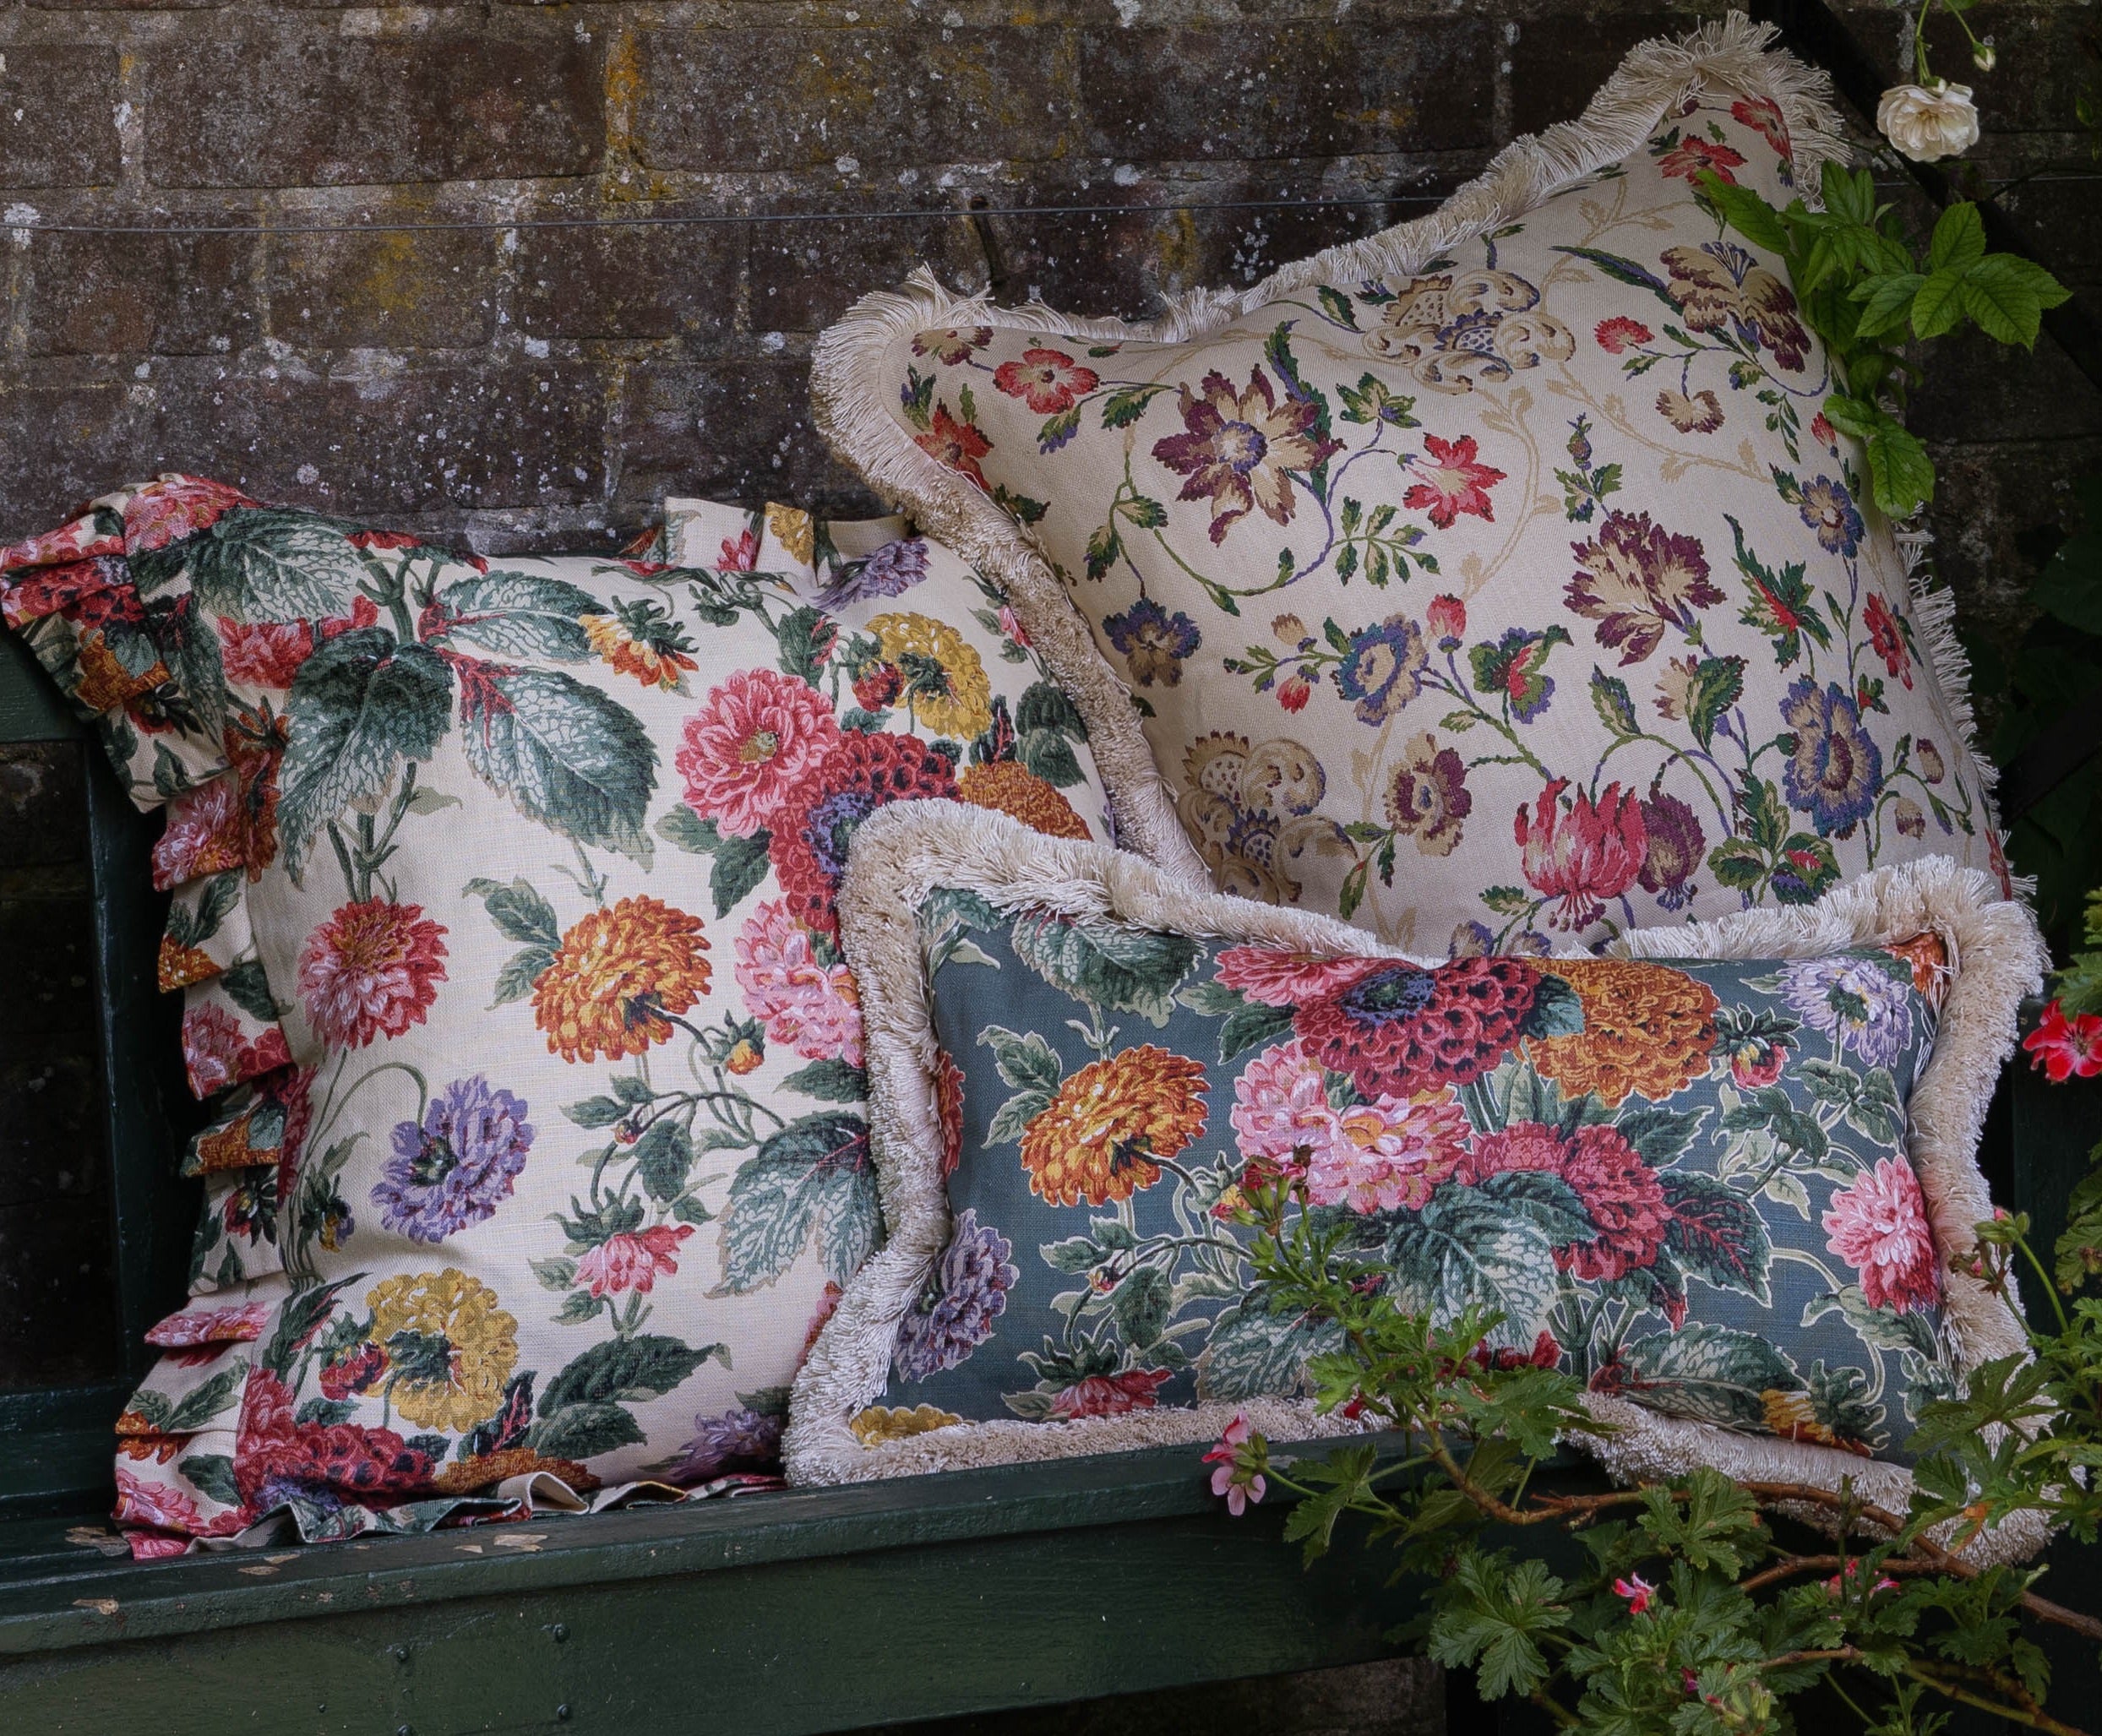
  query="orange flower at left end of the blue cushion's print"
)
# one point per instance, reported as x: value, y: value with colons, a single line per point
x: 1100, y: 1136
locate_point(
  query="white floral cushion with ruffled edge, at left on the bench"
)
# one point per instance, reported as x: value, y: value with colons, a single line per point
x: 506, y: 917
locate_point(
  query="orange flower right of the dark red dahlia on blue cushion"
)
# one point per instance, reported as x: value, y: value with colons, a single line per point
x: 1647, y: 1031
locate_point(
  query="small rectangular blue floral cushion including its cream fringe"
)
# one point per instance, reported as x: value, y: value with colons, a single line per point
x: 1689, y: 1182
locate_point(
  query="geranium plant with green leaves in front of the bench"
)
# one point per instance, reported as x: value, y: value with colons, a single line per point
x: 1697, y: 1605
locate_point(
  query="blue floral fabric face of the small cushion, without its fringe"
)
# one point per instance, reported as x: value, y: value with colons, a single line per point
x: 1683, y: 1182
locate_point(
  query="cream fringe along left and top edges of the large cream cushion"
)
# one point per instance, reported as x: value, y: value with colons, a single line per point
x: 854, y: 386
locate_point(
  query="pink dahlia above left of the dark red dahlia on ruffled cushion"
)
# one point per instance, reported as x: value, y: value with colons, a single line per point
x: 747, y: 751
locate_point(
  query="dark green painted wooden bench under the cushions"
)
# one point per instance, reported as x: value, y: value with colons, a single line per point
x: 775, y: 1613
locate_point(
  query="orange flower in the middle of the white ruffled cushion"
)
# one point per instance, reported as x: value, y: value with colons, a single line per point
x: 619, y: 978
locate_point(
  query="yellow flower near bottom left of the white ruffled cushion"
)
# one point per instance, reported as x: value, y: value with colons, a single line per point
x: 449, y: 1348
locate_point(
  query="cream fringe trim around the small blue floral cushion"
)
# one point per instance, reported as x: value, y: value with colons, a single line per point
x: 905, y: 852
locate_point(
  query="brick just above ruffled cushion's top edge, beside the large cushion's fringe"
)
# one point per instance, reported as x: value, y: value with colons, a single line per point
x: 728, y: 432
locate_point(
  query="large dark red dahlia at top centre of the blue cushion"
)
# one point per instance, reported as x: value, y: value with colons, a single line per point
x: 1399, y: 1029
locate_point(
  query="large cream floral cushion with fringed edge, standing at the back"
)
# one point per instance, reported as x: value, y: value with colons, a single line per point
x: 1489, y: 581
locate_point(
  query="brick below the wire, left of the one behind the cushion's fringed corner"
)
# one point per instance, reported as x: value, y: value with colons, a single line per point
x: 630, y: 281
